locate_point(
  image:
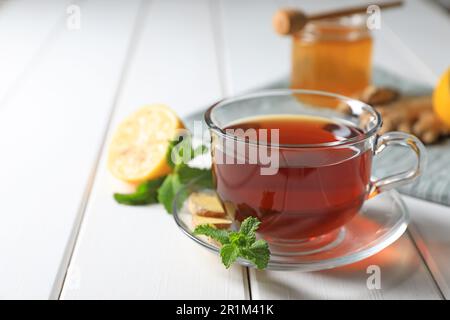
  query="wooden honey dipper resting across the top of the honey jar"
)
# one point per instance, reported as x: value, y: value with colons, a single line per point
x: 290, y: 21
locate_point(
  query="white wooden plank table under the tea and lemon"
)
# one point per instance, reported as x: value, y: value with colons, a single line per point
x: 63, y: 90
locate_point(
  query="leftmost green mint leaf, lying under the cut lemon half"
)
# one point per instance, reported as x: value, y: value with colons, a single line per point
x: 146, y: 193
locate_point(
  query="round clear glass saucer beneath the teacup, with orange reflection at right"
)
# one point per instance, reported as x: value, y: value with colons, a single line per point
x: 380, y: 222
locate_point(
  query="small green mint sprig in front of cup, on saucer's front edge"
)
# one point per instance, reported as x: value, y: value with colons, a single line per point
x: 241, y: 244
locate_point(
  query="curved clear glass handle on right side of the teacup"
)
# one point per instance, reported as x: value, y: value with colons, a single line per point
x: 404, y: 177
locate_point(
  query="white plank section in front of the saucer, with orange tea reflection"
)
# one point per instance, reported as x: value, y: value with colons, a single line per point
x: 403, y: 276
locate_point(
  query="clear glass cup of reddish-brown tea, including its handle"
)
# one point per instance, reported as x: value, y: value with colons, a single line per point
x: 303, y: 170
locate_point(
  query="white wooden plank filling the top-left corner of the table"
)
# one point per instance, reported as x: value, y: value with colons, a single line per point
x: 26, y: 27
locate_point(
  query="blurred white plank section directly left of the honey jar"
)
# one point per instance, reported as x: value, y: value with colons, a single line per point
x: 253, y: 54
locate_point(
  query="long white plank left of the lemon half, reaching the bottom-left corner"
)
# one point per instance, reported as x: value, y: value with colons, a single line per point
x: 50, y: 130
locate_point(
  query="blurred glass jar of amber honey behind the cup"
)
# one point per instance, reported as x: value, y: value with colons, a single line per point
x: 333, y: 55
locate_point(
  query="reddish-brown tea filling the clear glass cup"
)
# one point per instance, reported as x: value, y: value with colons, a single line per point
x: 314, y: 191
